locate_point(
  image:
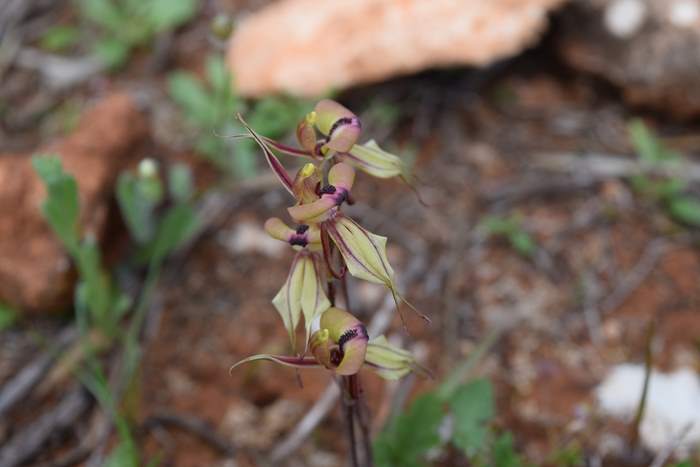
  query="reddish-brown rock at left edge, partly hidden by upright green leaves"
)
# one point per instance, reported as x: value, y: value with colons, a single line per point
x: 35, y: 271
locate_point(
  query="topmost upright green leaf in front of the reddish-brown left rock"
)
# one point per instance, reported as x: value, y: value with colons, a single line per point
x: 61, y: 207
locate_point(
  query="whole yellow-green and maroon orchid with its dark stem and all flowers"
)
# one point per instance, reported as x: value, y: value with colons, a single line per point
x: 328, y: 245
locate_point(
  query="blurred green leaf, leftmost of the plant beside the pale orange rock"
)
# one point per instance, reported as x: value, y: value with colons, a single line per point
x: 199, y: 107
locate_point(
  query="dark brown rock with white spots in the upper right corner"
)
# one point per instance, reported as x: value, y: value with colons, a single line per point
x: 648, y: 48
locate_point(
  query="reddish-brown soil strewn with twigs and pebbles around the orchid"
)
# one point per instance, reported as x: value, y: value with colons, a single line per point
x: 608, y: 263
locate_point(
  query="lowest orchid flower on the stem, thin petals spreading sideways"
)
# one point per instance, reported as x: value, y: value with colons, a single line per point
x: 341, y: 345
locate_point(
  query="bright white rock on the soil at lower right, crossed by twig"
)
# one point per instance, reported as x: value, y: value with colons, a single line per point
x: 672, y: 412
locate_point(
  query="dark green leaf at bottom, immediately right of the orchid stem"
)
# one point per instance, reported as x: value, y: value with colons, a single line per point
x: 411, y: 435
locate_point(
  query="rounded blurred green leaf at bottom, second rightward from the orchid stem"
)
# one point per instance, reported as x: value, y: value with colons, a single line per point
x: 472, y: 407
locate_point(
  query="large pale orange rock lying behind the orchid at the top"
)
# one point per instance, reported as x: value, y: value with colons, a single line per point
x: 308, y: 47
